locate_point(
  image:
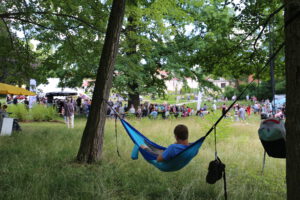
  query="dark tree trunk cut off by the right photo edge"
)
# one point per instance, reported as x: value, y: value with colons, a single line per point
x: 292, y: 60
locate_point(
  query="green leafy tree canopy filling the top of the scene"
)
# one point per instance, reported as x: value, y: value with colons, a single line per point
x: 182, y: 38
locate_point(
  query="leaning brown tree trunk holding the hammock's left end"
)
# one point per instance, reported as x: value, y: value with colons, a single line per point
x: 92, y: 139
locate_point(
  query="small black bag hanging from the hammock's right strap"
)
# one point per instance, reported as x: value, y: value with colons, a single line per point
x: 215, y: 171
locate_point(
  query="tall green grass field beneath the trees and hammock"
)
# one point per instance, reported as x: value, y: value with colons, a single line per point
x: 38, y: 163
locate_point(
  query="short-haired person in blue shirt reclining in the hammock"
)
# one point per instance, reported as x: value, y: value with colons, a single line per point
x: 181, y: 134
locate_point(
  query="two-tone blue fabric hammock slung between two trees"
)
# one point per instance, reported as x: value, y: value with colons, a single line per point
x: 176, y: 163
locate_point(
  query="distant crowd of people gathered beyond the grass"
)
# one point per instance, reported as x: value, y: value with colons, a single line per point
x: 81, y: 106
